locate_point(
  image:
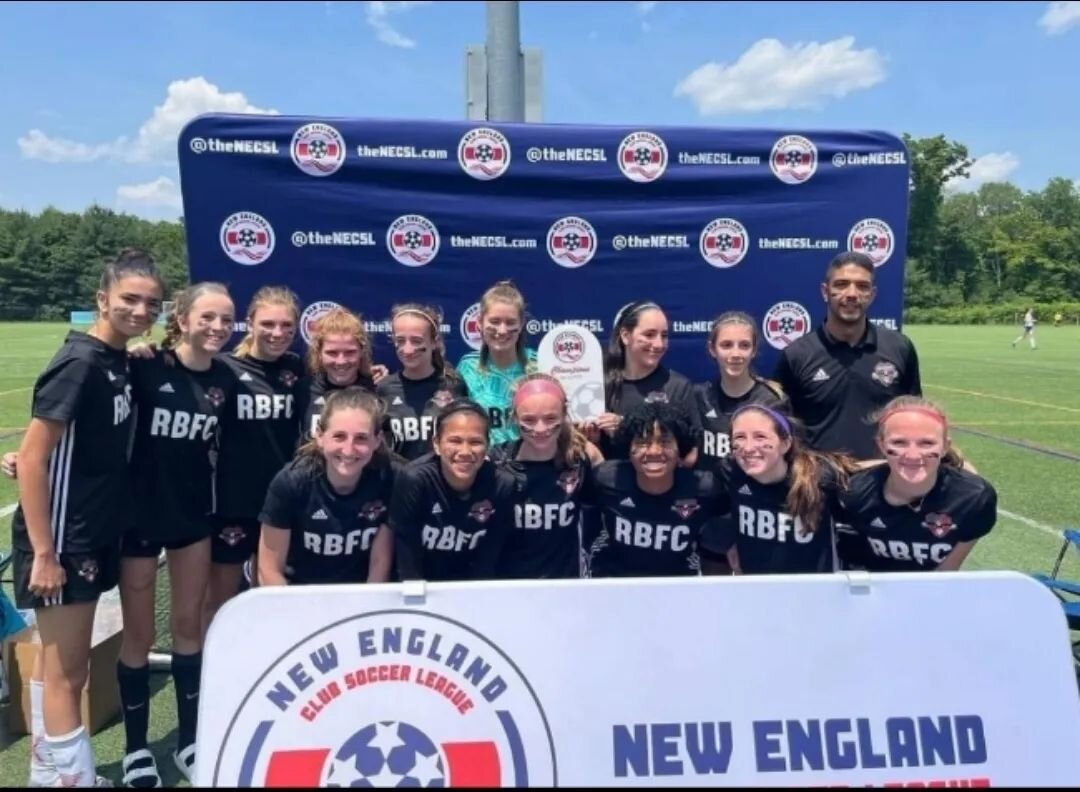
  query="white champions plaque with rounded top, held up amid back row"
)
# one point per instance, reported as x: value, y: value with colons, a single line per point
x: 573, y: 355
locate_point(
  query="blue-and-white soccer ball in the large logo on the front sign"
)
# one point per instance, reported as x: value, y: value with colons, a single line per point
x: 388, y: 754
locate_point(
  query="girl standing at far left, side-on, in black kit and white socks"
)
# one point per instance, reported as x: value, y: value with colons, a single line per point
x: 75, y: 503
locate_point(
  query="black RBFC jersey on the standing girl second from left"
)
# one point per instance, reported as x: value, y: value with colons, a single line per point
x: 180, y: 417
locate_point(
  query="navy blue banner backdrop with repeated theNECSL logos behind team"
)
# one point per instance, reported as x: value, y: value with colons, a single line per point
x: 584, y: 219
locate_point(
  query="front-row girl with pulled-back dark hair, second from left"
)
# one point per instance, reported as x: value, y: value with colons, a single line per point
x: 453, y: 511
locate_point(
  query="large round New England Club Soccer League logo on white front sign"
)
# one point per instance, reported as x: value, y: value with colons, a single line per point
x: 394, y: 699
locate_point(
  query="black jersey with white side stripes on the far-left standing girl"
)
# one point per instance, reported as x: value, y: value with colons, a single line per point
x: 87, y: 386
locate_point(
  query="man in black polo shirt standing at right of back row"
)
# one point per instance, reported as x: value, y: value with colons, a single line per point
x: 848, y: 369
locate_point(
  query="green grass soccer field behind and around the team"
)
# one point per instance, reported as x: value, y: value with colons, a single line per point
x: 1016, y: 413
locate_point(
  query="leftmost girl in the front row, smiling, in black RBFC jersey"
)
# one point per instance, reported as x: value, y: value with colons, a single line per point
x: 326, y: 517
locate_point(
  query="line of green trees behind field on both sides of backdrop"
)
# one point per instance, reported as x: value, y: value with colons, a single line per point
x: 980, y: 257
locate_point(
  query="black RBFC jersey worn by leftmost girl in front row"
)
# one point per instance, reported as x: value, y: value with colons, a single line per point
x: 332, y: 534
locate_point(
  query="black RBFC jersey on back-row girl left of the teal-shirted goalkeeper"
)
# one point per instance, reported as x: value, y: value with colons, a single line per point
x: 412, y: 407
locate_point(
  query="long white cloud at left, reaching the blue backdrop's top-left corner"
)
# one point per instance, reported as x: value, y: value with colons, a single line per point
x: 156, y: 140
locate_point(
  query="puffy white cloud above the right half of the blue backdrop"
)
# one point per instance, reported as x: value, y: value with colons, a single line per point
x: 771, y: 76
